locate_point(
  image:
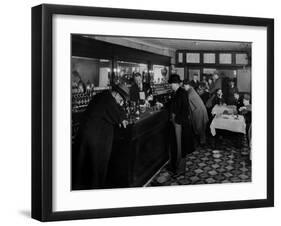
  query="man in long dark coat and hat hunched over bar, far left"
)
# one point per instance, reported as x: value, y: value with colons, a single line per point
x: 93, y: 145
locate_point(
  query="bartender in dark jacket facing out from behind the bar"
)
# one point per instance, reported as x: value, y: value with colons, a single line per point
x: 139, y: 91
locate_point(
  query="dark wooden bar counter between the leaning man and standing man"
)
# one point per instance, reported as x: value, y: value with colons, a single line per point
x: 139, y: 150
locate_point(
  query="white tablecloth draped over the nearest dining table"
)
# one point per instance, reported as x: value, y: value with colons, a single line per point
x: 228, y: 122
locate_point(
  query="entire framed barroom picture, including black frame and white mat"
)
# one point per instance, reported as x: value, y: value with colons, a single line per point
x: 142, y: 112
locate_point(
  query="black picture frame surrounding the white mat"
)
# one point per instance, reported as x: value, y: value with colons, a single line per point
x: 42, y: 111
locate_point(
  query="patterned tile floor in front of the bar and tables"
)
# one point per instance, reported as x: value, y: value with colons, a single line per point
x: 220, y: 163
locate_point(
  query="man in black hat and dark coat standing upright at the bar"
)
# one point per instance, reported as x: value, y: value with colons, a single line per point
x: 182, y: 126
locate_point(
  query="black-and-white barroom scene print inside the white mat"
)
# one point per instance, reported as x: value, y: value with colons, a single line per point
x: 148, y: 112
